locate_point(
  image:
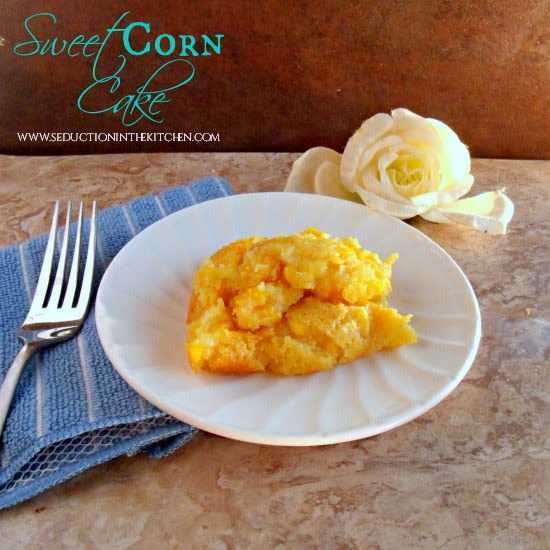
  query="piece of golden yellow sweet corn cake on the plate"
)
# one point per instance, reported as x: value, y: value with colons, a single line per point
x: 293, y: 304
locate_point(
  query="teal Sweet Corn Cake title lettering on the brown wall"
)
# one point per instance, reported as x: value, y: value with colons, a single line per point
x: 132, y: 39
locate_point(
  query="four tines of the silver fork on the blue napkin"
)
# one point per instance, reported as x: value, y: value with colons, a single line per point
x: 68, y: 291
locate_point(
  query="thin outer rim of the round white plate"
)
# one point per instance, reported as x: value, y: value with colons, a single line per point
x: 274, y: 438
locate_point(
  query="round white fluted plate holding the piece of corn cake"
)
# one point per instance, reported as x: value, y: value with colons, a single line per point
x: 142, y: 305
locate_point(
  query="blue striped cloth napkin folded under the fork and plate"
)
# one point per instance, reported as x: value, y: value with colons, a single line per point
x: 71, y: 409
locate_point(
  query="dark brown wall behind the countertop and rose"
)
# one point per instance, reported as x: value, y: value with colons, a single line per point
x: 297, y: 74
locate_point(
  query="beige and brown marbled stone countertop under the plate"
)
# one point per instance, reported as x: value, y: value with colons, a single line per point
x: 472, y: 473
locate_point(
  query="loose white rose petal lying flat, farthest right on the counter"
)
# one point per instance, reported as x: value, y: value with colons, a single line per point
x: 490, y: 212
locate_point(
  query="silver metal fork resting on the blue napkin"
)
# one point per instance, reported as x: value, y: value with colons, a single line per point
x: 59, y: 305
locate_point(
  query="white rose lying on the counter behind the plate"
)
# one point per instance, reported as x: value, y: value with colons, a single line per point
x: 404, y: 165
